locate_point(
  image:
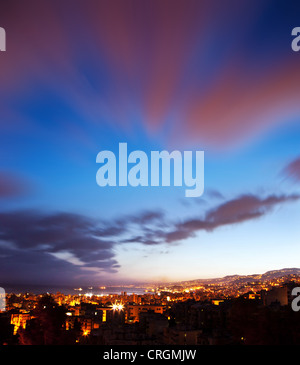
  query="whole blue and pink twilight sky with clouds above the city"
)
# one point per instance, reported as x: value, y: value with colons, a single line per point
x: 81, y: 77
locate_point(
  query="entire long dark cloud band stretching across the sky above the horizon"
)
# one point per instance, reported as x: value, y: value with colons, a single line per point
x: 40, y: 248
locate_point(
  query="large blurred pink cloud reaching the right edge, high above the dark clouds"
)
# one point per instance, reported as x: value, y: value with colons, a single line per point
x: 238, y: 107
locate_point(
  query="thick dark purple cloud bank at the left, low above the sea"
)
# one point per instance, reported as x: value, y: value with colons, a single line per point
x: 58, y: 246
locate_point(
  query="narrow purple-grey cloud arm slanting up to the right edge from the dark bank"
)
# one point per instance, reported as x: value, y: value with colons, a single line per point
x: 241, y: 209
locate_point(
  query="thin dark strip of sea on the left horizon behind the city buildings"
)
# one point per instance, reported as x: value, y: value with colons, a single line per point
x: 95, y: 290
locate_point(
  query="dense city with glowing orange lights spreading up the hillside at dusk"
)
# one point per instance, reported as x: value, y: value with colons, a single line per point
x: 233, y: 310
